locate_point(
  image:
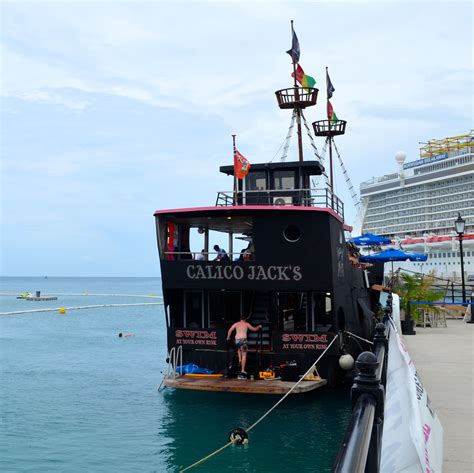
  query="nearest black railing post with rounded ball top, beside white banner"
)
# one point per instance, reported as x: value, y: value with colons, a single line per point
x: 367, y: 382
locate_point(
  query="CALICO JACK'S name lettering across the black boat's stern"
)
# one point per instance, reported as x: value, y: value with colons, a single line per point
x: 252, y: 272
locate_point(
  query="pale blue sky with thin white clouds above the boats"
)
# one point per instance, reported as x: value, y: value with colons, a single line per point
x: 112, y: 110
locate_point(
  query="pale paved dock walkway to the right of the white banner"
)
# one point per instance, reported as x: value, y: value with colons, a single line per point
x: 444, y: 359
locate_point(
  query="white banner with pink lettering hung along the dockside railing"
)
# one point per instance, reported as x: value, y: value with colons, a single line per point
x: 412, y: 439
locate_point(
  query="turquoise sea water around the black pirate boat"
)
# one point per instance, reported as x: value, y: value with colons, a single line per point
x: 77, y: 398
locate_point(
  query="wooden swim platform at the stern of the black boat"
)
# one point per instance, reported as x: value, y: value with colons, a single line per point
x: 242, y: 385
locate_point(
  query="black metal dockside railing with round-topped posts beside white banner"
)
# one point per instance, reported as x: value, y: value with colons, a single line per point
x: 362, y: 443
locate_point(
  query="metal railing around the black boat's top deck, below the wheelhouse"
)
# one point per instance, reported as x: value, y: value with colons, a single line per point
x: 309, y: 197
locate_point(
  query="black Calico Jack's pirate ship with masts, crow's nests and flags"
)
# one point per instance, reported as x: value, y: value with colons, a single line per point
x: 298, y: 277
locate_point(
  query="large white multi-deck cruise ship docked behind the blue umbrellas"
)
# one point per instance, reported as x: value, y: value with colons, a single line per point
x: 416, y: 206
